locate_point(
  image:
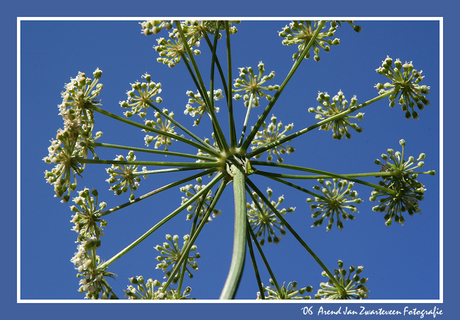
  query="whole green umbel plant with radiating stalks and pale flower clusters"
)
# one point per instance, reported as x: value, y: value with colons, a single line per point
x: 228, y: 159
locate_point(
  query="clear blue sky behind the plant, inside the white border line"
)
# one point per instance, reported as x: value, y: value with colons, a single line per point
x: 401, y: 262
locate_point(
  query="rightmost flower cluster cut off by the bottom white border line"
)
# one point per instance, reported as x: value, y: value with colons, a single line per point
x: 350, y: 287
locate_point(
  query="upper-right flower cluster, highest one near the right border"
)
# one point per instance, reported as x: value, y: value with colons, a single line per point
x: 405, y: 85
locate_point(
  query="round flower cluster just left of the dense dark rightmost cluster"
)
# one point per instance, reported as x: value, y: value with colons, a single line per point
x: 336, y: 199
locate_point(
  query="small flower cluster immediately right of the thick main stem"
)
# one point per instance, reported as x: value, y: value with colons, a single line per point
x: 263, y: 220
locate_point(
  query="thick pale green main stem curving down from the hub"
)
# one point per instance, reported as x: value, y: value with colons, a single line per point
x: 239, y: 240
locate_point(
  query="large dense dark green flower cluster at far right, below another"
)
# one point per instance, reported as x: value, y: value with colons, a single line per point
x: 401, y: 191
